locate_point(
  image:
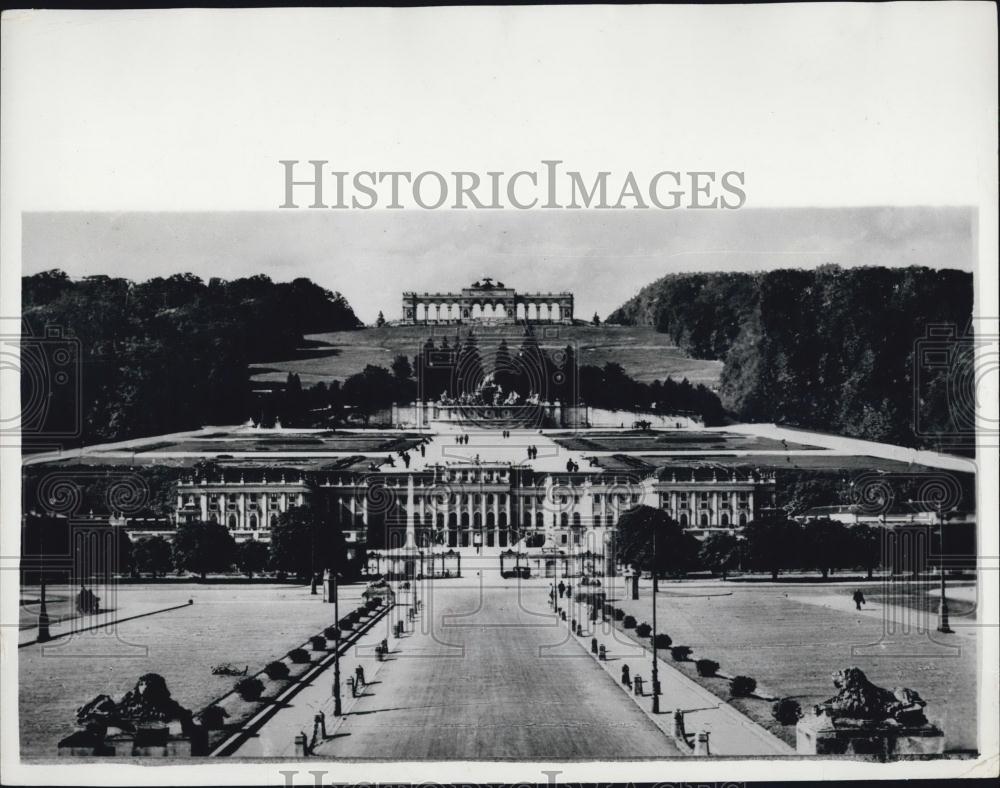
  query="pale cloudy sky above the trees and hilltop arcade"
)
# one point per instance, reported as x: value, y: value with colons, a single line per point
x: 603, y: 257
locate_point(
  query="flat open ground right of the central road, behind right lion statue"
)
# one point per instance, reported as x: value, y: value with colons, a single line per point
x: 782, y: 636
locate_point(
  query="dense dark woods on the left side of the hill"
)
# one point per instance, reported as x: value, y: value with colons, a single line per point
x: 172, y: 353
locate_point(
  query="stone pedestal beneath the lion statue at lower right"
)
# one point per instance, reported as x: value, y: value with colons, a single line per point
x: 884, y: 741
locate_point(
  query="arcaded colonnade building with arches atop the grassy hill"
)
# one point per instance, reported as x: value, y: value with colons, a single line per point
x: 486, y: 301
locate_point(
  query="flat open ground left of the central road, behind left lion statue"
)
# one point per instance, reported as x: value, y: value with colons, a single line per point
x: 242, y: 624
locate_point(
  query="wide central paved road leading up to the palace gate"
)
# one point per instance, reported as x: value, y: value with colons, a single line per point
x: 488, y: 674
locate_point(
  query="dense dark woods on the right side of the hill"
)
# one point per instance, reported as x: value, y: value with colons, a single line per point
x: 833, y: 349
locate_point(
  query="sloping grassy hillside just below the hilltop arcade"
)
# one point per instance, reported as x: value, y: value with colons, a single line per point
x: 643, y: 352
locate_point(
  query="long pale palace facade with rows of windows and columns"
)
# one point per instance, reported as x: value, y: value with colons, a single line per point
x: 478, y: 505
